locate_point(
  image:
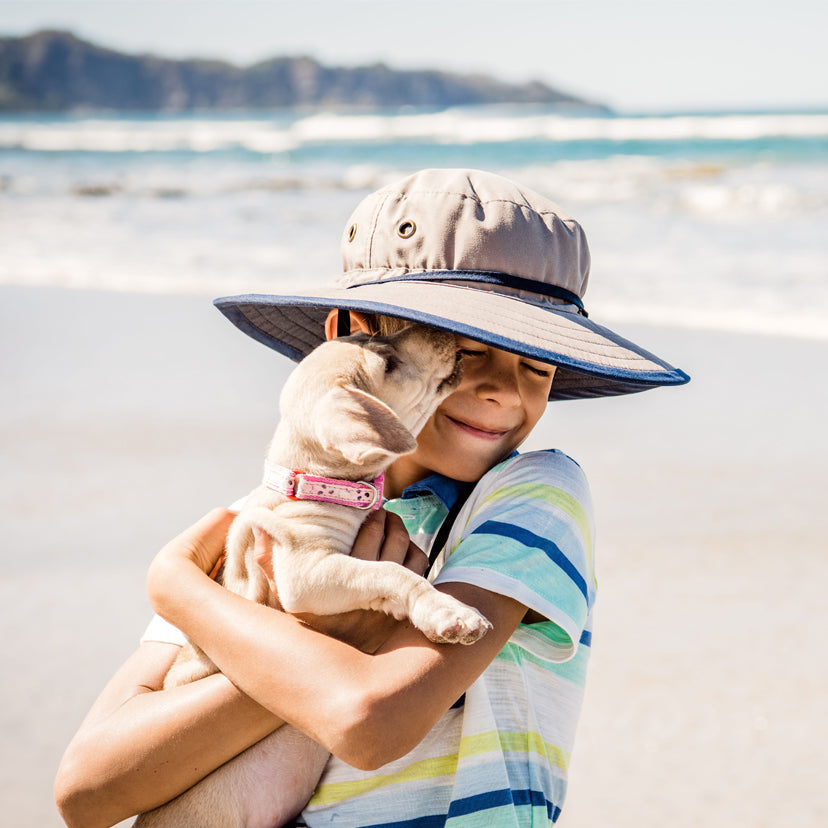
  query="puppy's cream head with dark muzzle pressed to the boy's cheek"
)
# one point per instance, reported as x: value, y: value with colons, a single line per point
x: 356, y: 403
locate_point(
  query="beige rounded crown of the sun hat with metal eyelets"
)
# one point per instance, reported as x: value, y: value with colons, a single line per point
x: 468, y: 222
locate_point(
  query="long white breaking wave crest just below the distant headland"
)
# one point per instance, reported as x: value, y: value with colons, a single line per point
x: 462, y: 126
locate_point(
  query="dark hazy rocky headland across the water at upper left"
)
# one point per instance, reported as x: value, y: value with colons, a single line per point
x: 56, y: 71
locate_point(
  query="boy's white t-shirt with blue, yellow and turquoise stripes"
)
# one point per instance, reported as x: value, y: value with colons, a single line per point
x: 501, y: 757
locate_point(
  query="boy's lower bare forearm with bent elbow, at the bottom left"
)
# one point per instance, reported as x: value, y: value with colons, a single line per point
x: 154, y: 746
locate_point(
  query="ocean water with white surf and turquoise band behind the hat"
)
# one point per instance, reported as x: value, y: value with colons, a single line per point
x: 708, y: 220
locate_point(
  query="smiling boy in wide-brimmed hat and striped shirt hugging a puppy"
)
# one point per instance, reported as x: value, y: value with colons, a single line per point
x: 421, y: 734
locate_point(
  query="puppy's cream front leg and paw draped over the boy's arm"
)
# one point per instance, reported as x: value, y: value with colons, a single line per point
x: 330, y: 583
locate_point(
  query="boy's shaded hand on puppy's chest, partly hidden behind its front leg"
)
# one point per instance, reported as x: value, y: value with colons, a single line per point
x: 383, y: 537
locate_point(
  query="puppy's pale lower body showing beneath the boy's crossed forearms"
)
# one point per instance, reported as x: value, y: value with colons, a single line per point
x: 267, y: 786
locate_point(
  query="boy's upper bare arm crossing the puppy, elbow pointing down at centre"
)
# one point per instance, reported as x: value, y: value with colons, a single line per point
x: 366, y: 709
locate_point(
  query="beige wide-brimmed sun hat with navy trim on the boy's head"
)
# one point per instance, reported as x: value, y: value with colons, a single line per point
x: 476, y: 254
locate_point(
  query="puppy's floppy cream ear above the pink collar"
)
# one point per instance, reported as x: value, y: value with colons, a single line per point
x: 360, y: 427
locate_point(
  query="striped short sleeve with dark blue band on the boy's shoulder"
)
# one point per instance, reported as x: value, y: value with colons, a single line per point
x: 527, y: 532
